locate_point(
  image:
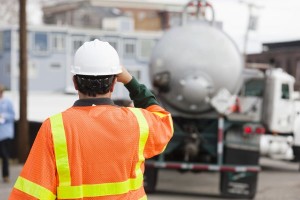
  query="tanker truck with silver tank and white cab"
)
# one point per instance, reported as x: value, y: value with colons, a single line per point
x: 220, y: 109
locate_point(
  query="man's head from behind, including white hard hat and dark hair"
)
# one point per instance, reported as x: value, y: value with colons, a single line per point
x: 96, y: 65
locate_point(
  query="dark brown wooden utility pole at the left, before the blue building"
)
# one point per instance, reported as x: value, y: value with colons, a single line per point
x: 23, y: 136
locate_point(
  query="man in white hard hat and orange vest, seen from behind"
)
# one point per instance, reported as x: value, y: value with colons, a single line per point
x: 95, y: 149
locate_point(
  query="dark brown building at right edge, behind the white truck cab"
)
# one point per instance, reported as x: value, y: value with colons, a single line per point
x: 285, y: 55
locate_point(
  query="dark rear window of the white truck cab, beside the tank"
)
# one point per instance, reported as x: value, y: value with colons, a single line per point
x: 254, y: 88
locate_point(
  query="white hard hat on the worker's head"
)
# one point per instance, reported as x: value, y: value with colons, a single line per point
x: 96, y: 58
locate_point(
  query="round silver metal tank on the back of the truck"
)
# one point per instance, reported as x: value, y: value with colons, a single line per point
x: 191, y: 63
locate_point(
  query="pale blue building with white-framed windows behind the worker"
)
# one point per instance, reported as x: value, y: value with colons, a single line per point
x: 51, y: 50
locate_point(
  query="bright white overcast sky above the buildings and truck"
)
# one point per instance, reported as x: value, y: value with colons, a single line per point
x: 277, y: 20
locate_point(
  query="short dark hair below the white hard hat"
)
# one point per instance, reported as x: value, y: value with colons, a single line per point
x: 93, y: 85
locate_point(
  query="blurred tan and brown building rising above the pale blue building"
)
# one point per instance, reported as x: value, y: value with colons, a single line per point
x: 150, y: 15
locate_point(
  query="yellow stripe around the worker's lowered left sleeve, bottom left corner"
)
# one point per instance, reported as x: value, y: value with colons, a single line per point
x: 33, y: 189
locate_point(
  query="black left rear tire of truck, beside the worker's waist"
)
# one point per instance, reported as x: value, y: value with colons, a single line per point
x: 150, y: 179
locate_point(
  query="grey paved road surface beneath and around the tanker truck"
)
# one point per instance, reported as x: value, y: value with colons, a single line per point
x: 277, y: 181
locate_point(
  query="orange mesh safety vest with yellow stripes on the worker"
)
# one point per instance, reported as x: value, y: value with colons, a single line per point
x: 74, y: 158
